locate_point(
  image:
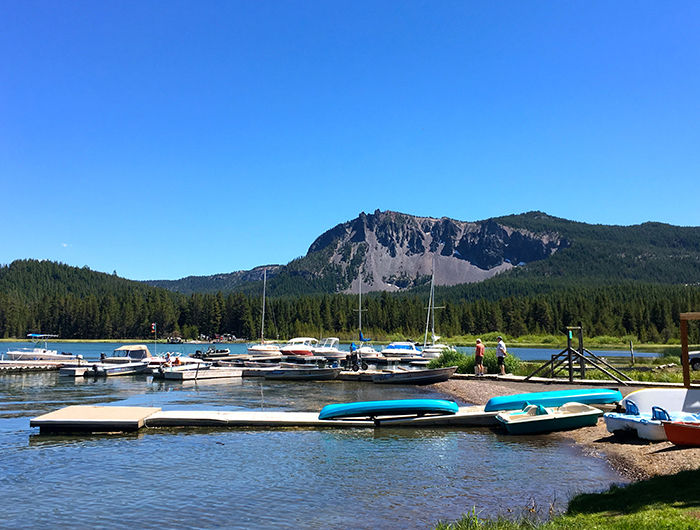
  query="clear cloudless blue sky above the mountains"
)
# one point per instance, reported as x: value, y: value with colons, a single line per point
x: 164, y: 139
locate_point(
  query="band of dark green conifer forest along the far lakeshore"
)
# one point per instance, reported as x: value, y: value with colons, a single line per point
x: 42, y: 296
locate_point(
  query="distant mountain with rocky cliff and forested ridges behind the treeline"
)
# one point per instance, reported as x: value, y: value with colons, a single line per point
x: 396, y: 251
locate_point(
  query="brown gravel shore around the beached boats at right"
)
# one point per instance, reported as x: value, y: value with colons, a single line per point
x: 633, y: 458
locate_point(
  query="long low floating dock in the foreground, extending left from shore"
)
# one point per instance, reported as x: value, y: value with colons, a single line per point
x: 100, y: 419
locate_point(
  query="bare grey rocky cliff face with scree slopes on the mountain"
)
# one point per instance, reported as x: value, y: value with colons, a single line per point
x: 392, y: 251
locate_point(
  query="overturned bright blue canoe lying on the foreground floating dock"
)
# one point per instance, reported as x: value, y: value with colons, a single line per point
x: 389, y: 407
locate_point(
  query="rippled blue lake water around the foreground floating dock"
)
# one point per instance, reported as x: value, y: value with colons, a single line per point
x: 242, y: 478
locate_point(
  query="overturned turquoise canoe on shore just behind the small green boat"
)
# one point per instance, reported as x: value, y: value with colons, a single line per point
x: 554, y: 398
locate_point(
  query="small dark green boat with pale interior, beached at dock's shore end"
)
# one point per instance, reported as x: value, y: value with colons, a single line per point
x: 535, y: 419
